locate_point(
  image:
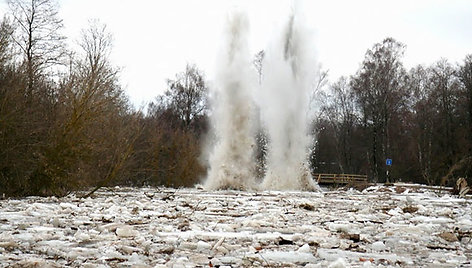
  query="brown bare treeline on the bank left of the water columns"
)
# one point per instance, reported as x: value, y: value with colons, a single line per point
x: 66, y: 124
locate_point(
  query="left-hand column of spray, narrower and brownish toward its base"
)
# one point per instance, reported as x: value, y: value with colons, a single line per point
x: 232, y: 161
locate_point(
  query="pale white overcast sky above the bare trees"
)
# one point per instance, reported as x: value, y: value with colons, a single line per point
x: 153, y: 40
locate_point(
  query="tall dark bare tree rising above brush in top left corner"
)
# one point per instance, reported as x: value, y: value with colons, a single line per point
x: 37, y: 35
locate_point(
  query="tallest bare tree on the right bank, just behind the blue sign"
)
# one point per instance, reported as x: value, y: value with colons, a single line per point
x: 379, y: 87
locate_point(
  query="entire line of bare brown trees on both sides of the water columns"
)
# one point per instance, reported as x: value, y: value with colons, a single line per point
x: 66, y: 124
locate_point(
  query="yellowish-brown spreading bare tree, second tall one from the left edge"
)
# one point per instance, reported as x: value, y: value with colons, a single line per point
x: 99, y: 110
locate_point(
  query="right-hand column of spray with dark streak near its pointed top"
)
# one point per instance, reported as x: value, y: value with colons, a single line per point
x: 289, y: 67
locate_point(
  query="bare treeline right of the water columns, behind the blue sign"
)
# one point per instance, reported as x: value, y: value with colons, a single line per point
x: 420, y: 118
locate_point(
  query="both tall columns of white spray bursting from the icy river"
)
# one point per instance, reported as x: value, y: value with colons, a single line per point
x: 283, y: 100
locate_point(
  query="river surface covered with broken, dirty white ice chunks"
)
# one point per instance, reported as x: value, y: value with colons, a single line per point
x: 395, y: 226
